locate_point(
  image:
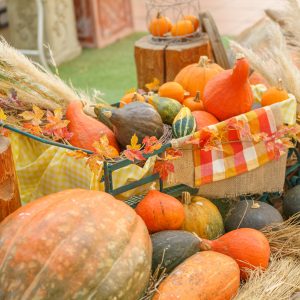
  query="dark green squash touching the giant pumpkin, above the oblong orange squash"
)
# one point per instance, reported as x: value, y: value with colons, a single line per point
x: 172, y: 247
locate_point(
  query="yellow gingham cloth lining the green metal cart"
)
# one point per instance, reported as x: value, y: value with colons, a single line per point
x: 44, y: 169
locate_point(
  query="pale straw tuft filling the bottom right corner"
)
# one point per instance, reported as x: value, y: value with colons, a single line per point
x: 280, y: 281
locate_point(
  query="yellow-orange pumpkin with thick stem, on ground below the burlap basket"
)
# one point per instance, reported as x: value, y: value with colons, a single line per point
x: 201, y: 217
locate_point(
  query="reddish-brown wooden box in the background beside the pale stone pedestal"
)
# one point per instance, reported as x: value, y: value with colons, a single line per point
x: 102, y: 22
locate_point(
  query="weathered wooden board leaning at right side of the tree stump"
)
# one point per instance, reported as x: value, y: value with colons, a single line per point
x: 219, y: 52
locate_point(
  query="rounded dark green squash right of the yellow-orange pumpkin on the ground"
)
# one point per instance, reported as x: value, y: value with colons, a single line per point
x: 251, y: 214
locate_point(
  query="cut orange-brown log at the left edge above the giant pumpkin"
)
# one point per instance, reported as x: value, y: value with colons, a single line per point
x: 9, y: 192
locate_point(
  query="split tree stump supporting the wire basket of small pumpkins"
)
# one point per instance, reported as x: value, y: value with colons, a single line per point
x: 165, y: 61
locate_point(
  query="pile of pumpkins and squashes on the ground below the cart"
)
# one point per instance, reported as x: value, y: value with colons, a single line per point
x: 79, y: 244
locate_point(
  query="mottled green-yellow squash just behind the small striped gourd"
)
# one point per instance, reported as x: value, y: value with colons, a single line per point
x: 167, y: 108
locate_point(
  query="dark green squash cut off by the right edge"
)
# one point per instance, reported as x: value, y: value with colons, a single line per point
x: 291, y: 202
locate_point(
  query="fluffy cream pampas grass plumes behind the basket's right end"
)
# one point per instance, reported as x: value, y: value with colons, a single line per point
x: 273, y: 61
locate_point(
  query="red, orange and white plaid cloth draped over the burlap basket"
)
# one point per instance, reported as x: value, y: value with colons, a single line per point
x: 235, y: 158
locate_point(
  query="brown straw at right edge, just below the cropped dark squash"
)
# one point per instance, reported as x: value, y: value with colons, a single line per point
x: 284, y: 238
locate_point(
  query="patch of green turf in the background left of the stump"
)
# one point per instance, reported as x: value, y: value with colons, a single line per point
x: 110, y: 70
